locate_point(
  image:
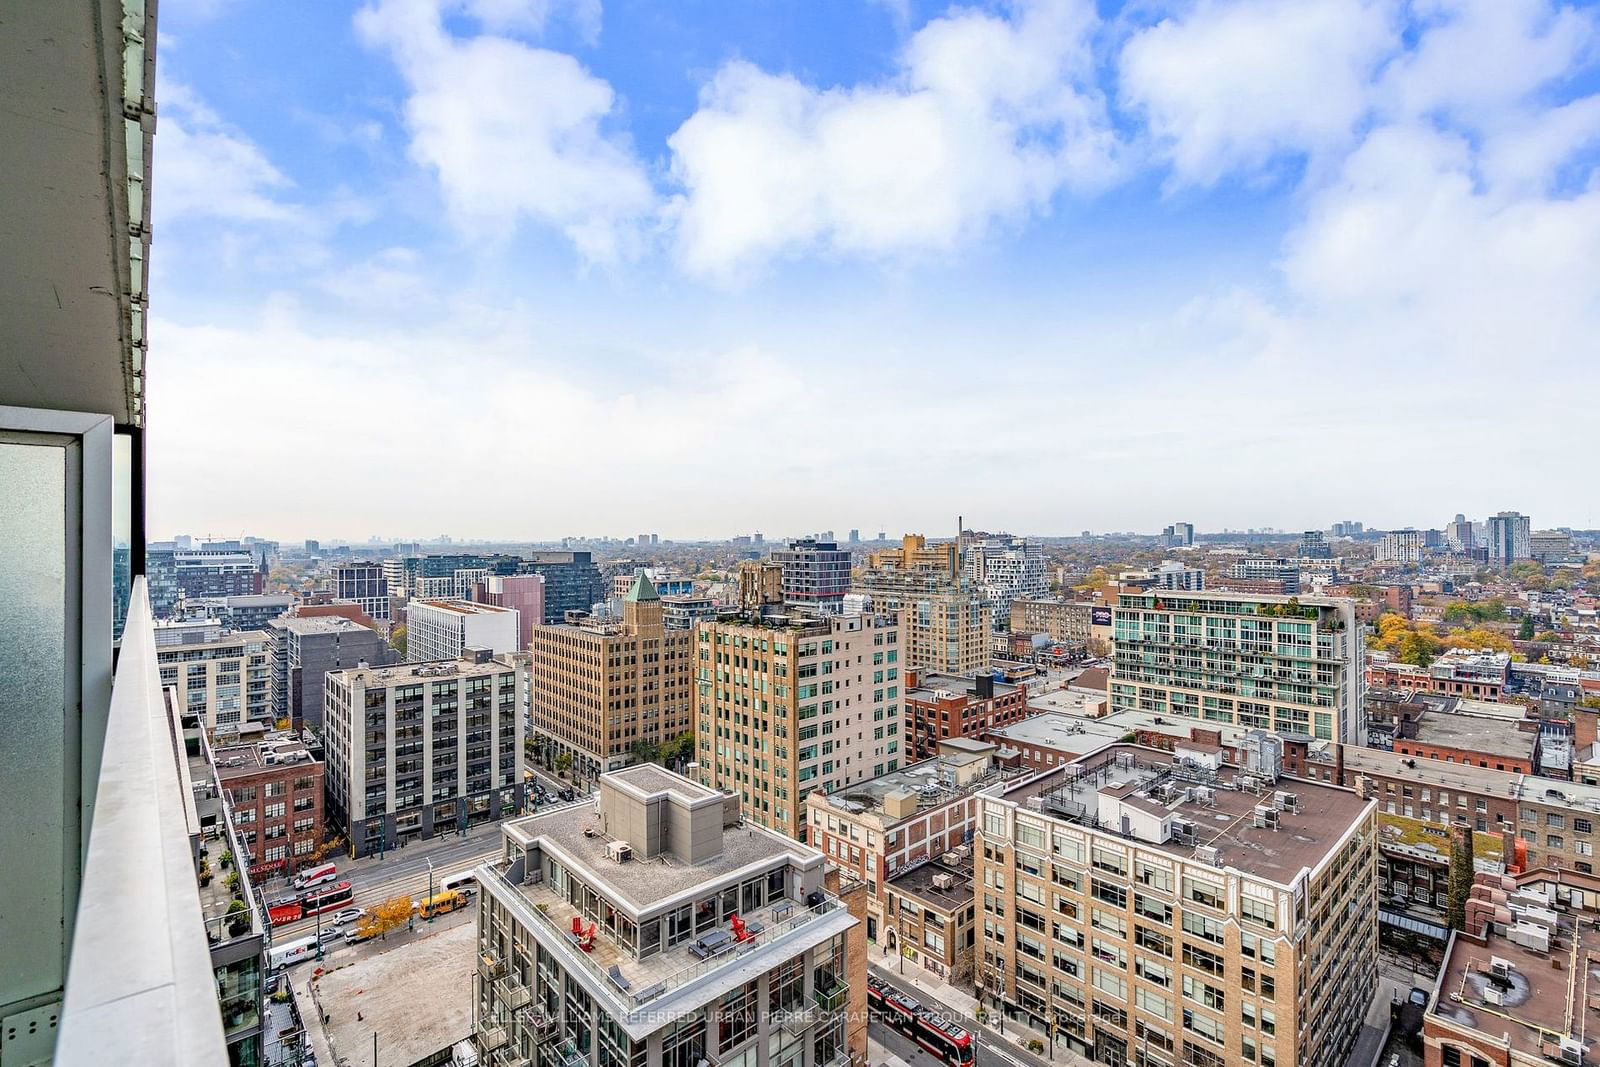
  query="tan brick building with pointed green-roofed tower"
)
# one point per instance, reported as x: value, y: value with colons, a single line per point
x: 602, y: 687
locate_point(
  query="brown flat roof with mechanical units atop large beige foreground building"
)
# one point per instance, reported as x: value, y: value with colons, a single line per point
x: 1223, y: 821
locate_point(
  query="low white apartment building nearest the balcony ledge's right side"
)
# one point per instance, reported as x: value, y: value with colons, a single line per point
x: 226, y: 681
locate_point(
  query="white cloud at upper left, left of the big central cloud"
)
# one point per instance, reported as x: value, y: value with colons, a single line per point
x: 513, y: 132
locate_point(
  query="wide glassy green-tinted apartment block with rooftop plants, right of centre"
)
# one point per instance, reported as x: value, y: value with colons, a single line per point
x: 1274, y: 663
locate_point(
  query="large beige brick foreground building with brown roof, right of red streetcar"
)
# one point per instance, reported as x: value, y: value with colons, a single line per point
x: 1158, y: 913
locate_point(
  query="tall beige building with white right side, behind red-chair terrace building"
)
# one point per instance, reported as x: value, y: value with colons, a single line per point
x: 786, y: 705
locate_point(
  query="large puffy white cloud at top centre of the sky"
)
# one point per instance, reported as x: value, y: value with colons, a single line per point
x: 986, y: 121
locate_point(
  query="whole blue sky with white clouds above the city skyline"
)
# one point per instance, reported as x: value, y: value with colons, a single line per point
x: 588, y: 266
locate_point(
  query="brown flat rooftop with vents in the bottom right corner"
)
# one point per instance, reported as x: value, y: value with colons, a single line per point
x: 1529, y: 1004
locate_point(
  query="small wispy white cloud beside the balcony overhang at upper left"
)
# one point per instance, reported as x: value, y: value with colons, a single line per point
x: 206, y: 169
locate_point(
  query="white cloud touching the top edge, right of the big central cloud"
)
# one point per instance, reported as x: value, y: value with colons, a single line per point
x: 1230, y: 86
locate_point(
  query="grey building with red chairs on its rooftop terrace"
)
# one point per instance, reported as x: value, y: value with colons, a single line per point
x: 652, y: 930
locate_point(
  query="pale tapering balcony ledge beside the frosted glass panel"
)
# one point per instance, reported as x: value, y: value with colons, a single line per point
x: 140, y: 985
